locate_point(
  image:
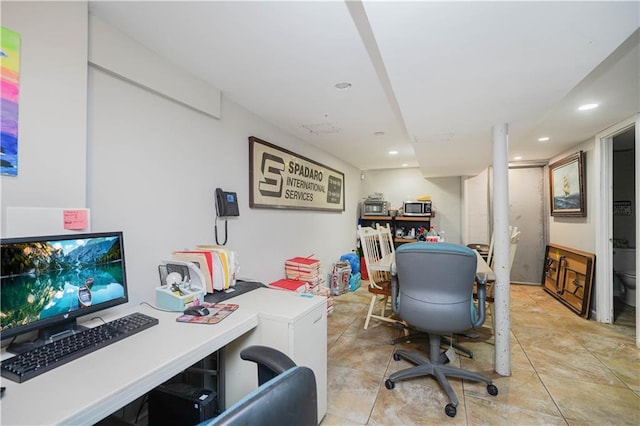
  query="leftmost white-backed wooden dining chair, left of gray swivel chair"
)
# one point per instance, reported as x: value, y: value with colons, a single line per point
x: 379, y: 281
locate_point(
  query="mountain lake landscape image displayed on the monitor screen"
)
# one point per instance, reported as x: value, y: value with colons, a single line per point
x: 44, y: 279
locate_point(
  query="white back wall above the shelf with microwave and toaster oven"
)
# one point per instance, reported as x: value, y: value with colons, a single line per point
x: 399, y: 185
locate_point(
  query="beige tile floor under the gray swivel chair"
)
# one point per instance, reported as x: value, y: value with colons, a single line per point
x: 565, y: 370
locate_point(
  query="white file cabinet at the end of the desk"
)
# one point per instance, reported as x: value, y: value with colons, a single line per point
x: 292, y: 323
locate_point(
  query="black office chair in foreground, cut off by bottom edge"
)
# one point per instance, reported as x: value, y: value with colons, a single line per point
x: 286, y: 394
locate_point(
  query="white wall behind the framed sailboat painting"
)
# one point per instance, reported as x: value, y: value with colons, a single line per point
x: 577, y: 232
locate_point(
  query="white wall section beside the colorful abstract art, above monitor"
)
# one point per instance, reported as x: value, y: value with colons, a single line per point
x: 52, y: 125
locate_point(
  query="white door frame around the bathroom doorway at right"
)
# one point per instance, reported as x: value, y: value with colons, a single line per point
x: 604, y: 219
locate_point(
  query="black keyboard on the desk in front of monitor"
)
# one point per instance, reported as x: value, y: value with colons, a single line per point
x: 36, y: 361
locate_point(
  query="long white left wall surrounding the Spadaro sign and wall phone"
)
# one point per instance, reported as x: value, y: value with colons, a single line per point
x: 149, y: 166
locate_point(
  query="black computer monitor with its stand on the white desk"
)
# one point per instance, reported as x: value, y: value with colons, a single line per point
x: 47, y: 282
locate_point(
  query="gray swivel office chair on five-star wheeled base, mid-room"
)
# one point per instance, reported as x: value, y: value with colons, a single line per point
x: 432, y: 291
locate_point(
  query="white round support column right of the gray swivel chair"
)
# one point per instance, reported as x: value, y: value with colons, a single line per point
x: 501, y: 249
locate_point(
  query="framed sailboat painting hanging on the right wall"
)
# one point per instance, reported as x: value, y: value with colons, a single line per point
x: 567, y: 186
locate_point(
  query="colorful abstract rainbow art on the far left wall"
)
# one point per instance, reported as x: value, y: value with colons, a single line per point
x: 9, y: 88
